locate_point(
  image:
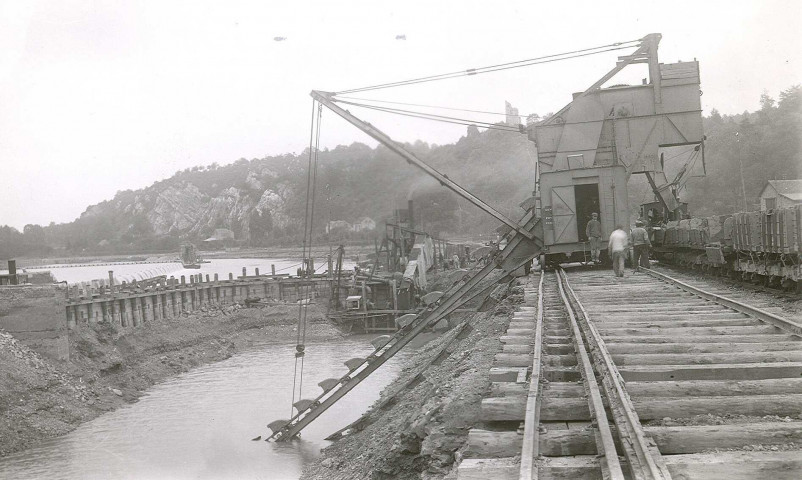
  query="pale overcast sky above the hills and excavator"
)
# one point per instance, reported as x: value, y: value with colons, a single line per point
x: 101, y: 96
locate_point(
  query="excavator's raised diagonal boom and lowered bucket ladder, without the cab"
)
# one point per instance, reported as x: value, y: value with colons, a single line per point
x: 526, y: 244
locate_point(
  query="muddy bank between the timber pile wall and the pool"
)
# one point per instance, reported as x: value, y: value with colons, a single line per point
x: 110, y: 367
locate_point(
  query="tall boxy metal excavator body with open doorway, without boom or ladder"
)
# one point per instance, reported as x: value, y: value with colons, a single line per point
x: 588, y: 150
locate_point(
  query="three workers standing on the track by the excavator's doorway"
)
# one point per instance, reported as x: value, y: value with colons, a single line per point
x: 618, y: 244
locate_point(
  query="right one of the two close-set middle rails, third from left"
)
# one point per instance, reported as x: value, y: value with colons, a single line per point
x: 645, y: 460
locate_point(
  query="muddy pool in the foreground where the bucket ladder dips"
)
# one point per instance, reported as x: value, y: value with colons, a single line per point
x: 200, y: 424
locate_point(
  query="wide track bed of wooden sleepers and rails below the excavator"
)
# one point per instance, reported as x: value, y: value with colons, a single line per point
x: 640, y: 377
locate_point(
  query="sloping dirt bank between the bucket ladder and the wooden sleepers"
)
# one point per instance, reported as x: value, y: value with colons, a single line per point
x: 420, y: 435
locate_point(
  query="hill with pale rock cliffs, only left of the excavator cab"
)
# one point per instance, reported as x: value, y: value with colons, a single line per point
x: 262, y: 200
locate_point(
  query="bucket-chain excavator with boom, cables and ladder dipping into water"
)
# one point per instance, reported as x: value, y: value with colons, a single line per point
x: 586, y: 153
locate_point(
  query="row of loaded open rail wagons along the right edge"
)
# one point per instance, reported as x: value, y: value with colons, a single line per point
x: 762, y: 247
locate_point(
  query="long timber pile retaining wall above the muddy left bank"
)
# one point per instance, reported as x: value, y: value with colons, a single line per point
x: 40, y: 316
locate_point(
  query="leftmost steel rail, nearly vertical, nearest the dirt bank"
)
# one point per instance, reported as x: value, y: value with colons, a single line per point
x: 531, y: 444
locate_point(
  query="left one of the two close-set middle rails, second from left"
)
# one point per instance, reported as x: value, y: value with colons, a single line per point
x: 611, y: 467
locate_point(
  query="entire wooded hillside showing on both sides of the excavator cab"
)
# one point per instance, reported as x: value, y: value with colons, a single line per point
x: 262, y: 200
